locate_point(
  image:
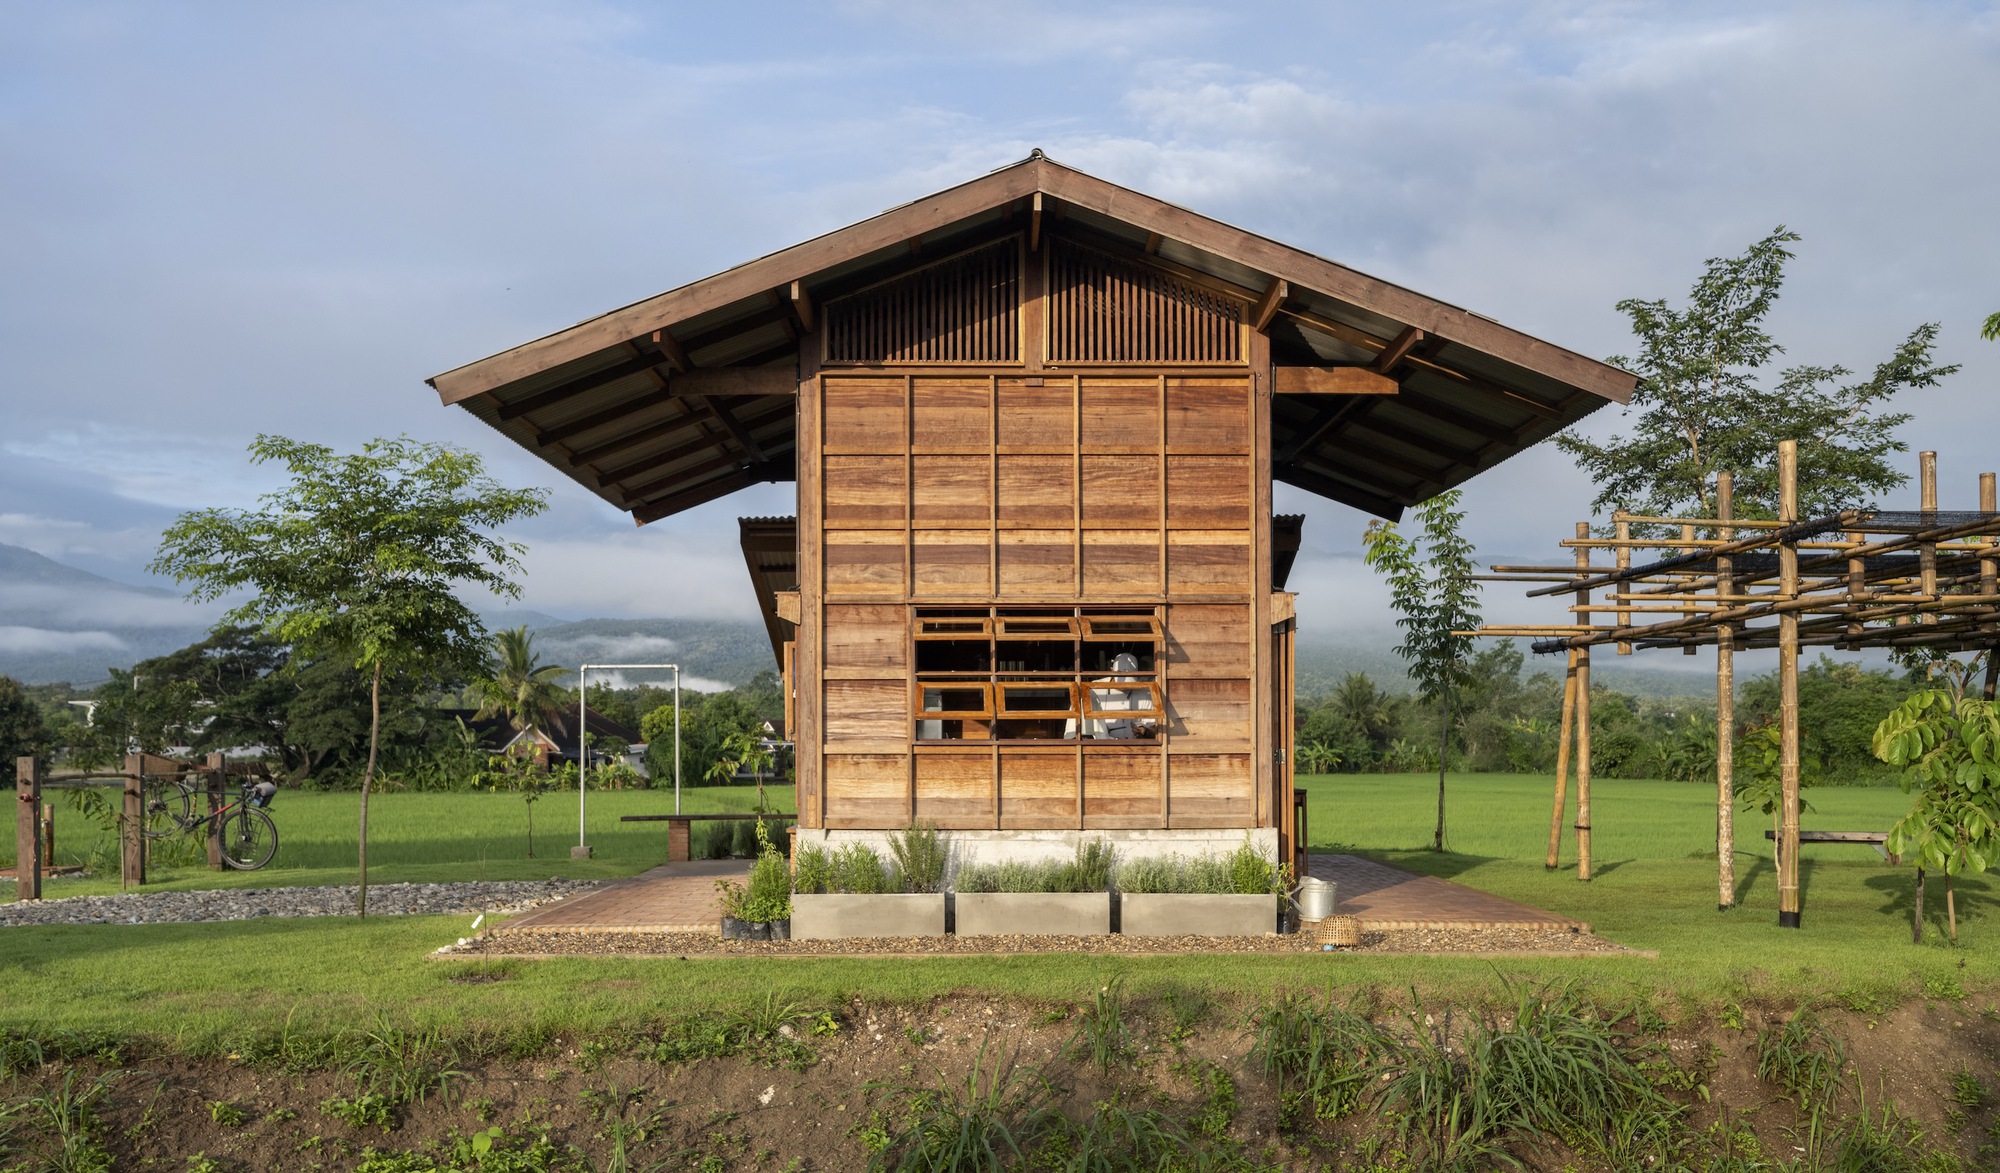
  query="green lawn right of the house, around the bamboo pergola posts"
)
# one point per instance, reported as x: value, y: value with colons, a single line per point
x: 1655, y: 884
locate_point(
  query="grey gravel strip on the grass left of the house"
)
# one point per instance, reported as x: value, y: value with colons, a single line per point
x: 493, y: 898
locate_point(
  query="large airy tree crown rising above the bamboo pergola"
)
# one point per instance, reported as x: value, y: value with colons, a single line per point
x: 1705, y: 405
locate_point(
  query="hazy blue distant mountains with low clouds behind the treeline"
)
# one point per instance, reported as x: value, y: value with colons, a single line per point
x: 59, y: 624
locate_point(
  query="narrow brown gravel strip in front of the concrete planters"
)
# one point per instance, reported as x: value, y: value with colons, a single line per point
x: 589, y: 944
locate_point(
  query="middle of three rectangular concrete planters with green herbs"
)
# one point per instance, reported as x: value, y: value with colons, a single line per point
x: 1069, y: 898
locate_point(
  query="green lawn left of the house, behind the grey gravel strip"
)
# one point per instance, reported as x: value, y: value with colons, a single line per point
x: 419, y: 838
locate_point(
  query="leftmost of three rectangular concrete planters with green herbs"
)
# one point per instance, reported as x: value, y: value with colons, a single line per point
x: 855, y: 894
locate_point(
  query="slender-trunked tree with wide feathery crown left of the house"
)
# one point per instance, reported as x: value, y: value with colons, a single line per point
x: 359, y: 557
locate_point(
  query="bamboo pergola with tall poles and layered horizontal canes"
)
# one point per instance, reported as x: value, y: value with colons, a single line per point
x: 1855, y: 579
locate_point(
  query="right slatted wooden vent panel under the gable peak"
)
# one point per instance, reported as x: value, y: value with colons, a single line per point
x: 1103, y: 309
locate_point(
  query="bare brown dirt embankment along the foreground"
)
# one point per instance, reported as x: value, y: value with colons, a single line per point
x: 825, y: 1088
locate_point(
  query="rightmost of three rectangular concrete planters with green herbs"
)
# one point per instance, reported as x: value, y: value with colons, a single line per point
x: 1205, y: 896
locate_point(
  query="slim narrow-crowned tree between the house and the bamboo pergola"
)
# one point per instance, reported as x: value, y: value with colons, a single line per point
x: 1435, y: 596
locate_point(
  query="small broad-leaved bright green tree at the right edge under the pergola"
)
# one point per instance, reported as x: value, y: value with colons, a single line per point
x: 1949, y: 748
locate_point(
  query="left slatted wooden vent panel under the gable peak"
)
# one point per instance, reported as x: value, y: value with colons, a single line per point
x: 963, y: 309
